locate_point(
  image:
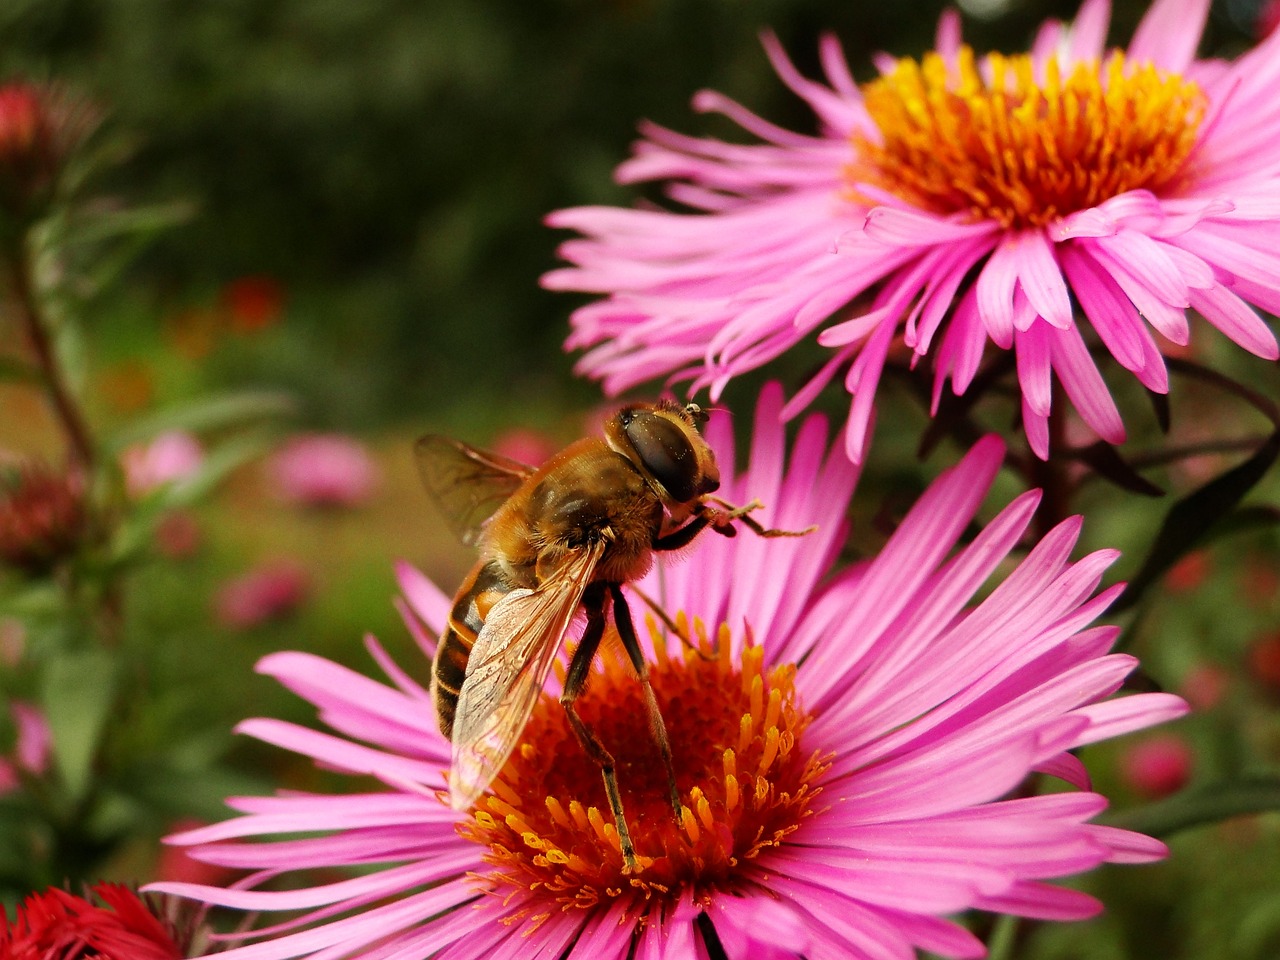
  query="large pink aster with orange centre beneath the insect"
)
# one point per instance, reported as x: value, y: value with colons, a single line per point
x: 848, y: 747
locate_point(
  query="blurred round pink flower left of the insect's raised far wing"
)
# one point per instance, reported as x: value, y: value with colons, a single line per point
x: 323, y: 470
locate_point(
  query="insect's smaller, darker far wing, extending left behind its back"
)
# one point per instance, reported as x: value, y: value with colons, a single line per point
x: 467, y: 483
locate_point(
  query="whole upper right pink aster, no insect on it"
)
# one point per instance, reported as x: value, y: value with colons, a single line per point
x: 950, y: 203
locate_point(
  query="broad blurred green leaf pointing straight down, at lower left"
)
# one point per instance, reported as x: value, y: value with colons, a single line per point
x: 77, y: 696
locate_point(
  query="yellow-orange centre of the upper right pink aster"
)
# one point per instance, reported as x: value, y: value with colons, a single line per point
x: 1020, y: 150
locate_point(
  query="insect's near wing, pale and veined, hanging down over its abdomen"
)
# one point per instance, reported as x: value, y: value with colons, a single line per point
x: 509, y: 665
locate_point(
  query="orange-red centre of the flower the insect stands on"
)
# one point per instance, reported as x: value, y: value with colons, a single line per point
x: 743, y: 780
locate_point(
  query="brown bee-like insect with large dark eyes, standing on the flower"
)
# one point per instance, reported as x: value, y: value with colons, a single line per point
x: 554, y: 540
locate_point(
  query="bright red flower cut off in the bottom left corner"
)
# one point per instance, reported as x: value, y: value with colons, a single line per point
x: 61, y: 926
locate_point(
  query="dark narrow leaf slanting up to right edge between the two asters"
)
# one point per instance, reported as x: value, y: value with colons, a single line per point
x: 1191, y: 519
